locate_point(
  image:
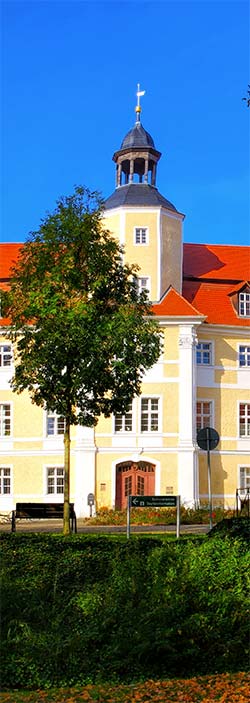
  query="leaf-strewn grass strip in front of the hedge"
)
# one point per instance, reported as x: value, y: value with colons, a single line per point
x: 223, y: 688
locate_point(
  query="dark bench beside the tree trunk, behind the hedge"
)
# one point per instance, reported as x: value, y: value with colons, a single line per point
x: 42, y: 511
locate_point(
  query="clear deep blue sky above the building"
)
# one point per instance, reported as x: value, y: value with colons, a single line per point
x: 70, y: 71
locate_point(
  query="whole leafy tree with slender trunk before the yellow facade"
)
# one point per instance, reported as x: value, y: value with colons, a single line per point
x: 84, y: 336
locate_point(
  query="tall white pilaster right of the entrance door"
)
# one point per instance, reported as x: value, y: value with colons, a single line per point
x: 187, y: 464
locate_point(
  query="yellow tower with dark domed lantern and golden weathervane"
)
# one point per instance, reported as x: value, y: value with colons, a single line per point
x: 146, y: 223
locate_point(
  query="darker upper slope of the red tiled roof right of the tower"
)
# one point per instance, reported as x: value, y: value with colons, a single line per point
x: 216, y: 261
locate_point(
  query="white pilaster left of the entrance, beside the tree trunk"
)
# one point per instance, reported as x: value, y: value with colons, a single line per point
x: 85, y: 460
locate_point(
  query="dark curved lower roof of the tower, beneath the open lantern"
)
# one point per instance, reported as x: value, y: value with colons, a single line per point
x: 140, y: 194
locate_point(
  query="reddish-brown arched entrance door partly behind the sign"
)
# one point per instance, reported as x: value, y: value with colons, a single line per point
x: 133, y: 479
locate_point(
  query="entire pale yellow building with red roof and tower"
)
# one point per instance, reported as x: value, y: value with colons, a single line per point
x: 201, y: 299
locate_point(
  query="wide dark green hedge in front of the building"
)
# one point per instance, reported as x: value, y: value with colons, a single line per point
x: 83, y: 609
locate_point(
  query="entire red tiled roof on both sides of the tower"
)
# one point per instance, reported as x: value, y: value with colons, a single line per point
x: 212, y: 273
